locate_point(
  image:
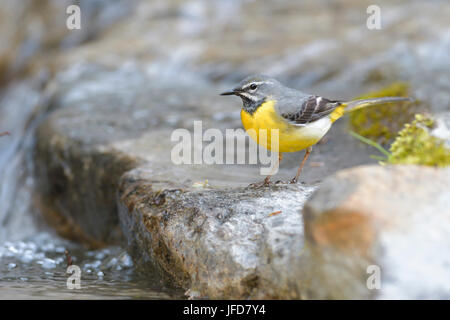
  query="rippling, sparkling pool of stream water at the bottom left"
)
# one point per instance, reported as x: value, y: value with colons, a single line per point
x: 35, y: 268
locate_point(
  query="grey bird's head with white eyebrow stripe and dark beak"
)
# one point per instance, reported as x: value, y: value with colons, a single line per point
x: 256, y: 89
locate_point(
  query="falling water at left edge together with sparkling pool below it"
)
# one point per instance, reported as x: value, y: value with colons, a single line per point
x: 33, y: 262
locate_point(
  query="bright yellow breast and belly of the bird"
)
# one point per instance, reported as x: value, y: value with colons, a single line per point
x: 291, y: 138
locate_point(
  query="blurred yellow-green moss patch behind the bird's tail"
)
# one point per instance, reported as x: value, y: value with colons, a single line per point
x: 381, y: 123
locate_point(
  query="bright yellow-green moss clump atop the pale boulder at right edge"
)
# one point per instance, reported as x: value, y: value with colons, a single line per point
x: 415, y: 145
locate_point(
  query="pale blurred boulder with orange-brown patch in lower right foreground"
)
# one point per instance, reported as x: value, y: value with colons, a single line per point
x: 395, y: 218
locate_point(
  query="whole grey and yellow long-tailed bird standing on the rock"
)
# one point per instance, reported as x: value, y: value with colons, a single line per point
x: 302, y: 119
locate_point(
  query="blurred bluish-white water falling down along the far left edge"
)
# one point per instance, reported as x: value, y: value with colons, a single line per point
x: 21, y: 106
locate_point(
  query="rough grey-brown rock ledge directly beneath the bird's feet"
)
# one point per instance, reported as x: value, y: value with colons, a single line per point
x: 235, y: 243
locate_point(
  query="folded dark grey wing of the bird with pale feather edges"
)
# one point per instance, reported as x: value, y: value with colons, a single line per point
x: 309, y: 110
